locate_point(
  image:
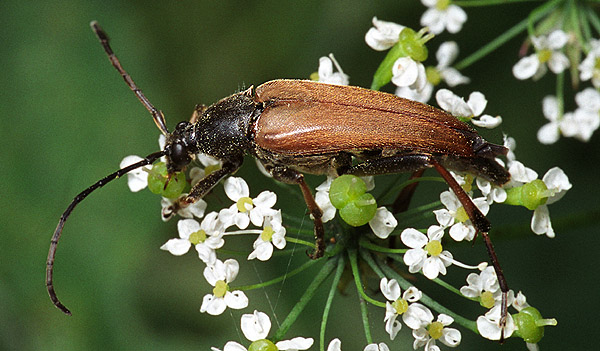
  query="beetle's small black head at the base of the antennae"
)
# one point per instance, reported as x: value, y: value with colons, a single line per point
x: 180, y: 149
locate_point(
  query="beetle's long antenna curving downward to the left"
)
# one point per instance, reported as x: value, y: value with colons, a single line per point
x: 61, y: 223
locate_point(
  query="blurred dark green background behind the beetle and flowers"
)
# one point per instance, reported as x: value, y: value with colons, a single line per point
x: 68, y: 120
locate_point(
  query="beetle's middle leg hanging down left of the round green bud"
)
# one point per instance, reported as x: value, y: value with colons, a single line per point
x: 290, y: 176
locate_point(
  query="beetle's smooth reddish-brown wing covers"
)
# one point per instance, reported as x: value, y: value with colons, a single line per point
x: 302, y: 117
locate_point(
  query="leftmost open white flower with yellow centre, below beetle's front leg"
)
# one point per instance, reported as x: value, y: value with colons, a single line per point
x: 206, y: 238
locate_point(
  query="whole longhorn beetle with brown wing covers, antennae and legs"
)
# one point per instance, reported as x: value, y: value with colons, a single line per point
x: 296, y: 126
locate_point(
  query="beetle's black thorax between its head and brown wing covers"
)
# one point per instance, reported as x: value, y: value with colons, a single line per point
x: 222, y: 129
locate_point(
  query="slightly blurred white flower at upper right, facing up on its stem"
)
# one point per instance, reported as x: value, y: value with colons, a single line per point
x: 547, y: 53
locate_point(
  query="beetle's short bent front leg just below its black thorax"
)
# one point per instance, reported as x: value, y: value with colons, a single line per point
x: 203, y: 187
